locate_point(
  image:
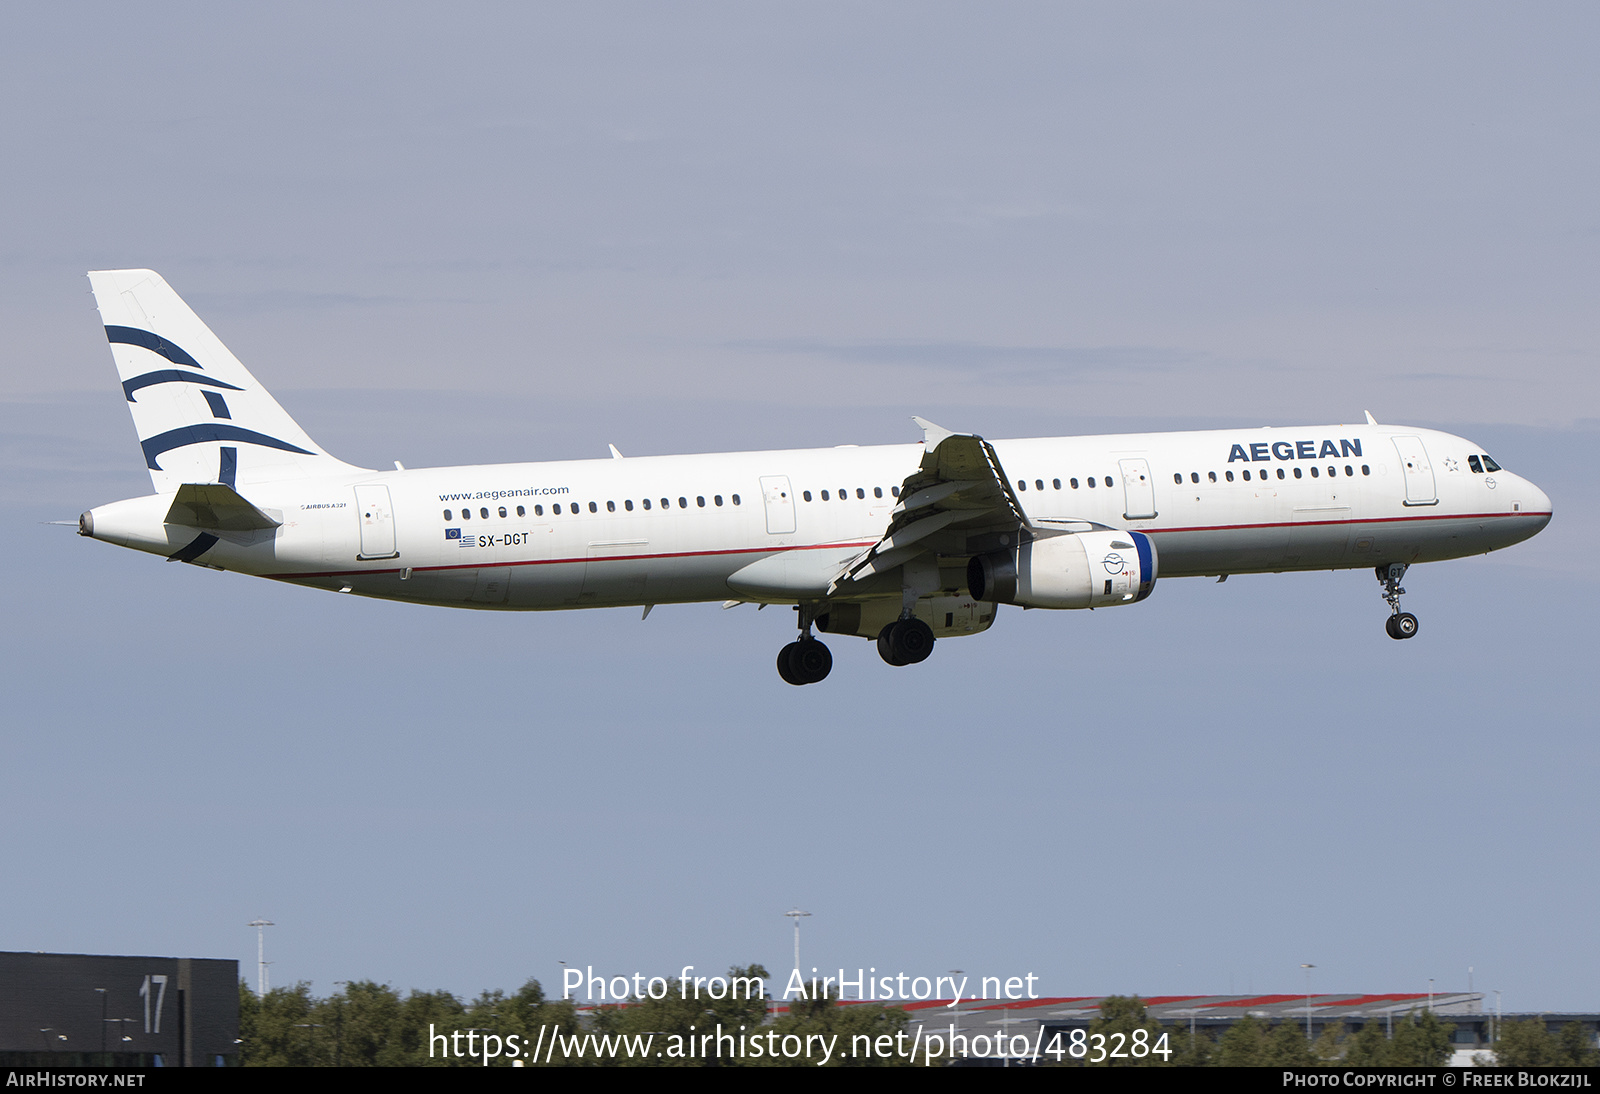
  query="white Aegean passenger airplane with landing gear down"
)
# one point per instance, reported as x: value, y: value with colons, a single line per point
x: 900, y: 545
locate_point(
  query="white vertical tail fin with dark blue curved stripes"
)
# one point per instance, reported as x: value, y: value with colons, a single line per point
x: 202, y: 418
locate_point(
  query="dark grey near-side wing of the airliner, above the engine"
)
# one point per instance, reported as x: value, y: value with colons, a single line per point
x: 959, y: 495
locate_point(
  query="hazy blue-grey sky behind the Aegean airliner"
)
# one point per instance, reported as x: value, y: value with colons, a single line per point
x: 521, y: 233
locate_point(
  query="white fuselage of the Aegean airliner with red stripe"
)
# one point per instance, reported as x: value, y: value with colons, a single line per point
x: 676, y: 529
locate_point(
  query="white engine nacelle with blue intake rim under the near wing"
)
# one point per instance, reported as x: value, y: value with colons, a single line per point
x: 1084, y: 570
